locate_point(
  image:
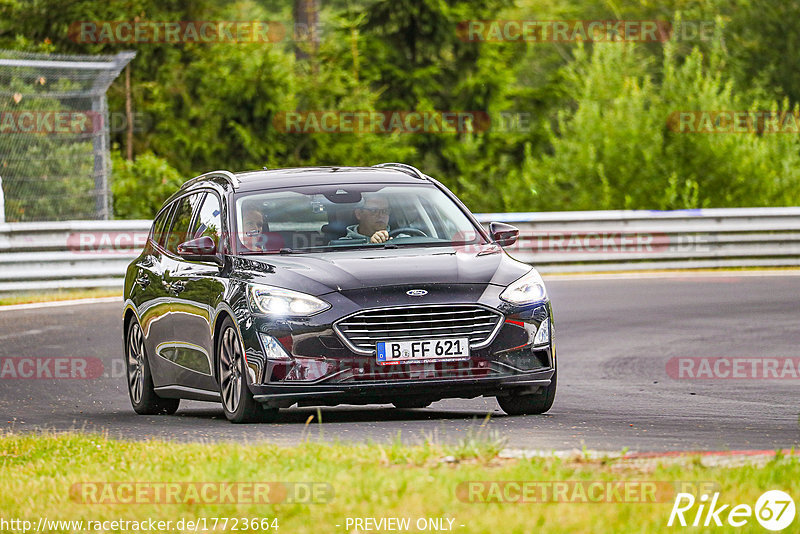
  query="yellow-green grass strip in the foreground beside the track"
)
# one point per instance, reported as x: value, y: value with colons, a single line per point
x: 371, y: 480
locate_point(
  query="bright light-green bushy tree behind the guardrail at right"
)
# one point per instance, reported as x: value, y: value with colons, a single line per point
x: 616, y: 150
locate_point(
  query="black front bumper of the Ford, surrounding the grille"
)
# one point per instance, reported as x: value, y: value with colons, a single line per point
x: 320, y: 369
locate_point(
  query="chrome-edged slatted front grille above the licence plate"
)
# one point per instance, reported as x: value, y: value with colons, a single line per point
x: 363, y: 330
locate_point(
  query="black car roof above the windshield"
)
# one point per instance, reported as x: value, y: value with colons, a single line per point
x: 299, y: 176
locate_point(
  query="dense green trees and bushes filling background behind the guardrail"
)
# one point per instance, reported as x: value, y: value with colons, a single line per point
x: 573, y: 126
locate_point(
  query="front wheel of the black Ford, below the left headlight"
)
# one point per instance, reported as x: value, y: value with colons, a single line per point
x: 237, y: 399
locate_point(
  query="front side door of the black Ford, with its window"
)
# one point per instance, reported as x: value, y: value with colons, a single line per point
x: 195, y: 286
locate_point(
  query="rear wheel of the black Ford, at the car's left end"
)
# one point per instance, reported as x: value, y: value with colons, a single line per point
x: 140, y: 382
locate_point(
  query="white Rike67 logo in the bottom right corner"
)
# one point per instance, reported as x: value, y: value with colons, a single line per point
x: 774, y: 510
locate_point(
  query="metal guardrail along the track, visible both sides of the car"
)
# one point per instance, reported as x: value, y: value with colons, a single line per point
x: 81, y: 254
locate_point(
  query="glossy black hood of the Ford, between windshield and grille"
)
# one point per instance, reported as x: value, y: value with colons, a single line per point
x: 321, y: 273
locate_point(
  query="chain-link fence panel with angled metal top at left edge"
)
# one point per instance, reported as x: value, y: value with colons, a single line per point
x: 54, y: 136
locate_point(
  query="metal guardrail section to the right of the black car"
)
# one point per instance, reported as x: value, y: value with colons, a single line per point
x: 644, y: 240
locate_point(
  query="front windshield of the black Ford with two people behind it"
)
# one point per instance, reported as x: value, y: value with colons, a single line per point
x: 344, y: 217
